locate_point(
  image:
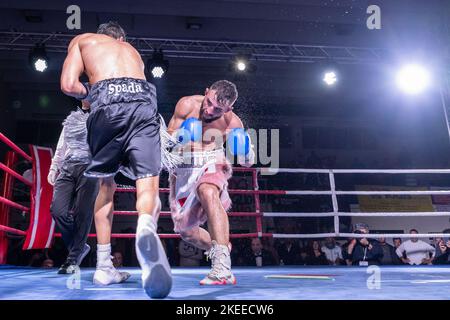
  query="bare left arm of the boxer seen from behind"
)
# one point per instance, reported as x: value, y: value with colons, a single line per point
x: 72, y: 69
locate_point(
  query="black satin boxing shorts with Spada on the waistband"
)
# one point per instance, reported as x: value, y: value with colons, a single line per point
x: 123, y: 129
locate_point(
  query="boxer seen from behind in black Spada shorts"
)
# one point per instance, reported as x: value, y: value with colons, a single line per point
x: 123, y: 135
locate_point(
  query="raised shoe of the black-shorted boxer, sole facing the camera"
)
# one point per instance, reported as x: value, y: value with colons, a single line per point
x: 156, y: 274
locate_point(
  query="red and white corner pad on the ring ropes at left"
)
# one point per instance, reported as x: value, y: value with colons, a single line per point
x: 41, y: 229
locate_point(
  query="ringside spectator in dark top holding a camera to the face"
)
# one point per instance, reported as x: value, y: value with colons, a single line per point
x: 363, y: 251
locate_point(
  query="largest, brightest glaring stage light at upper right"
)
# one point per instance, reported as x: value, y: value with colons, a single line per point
x: 413, y: 79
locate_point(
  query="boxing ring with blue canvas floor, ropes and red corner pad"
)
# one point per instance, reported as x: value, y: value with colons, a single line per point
x: 264, y: 283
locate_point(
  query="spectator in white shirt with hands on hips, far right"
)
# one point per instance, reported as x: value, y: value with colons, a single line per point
x: 417, y: 251
